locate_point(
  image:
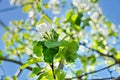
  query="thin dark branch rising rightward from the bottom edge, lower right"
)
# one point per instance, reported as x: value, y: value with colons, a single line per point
x: 79, y: 77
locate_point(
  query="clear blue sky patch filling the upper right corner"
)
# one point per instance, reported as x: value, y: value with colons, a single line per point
x: 111, y: 9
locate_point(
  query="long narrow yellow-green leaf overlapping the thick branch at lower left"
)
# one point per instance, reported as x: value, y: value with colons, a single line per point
x: 30, y: 61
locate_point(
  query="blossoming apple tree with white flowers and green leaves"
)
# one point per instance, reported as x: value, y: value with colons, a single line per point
x: 63, y: 40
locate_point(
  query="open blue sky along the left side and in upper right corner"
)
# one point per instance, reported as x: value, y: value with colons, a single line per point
x: 110, y: 9
